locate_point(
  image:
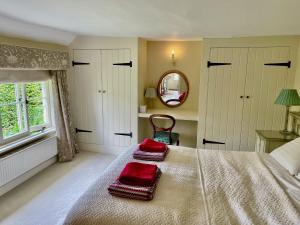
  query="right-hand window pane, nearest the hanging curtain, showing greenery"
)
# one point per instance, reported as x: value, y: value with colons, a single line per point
x: 37, y: 100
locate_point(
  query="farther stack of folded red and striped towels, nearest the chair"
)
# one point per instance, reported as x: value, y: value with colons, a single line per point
x: 151, y: 150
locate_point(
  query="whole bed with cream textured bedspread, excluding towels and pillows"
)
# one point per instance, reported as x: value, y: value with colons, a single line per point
x: 197, y: 187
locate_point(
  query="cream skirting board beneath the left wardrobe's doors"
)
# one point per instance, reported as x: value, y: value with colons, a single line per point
x: 101, y: 149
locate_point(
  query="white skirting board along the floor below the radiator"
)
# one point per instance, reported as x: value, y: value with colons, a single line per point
x: 7, y: 187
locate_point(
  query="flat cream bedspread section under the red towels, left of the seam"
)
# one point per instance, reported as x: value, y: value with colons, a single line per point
x: 177, y: 200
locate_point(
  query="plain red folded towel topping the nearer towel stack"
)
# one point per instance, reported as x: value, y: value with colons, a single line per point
x: 138, y: 174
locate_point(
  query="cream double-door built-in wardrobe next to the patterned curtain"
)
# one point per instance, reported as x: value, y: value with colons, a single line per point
x: 102, y: 81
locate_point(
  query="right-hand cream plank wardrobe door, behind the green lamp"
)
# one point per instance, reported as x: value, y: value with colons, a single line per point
x: 263, y: 84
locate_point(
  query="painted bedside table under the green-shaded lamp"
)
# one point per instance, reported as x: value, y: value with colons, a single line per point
x: 268, y: 140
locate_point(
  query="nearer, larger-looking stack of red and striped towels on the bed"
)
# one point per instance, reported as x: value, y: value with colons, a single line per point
x: 136, y: 181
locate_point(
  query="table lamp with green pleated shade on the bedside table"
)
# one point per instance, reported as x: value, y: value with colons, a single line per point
x: 287, y: 97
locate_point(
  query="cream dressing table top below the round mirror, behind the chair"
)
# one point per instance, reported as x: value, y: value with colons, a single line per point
x: 188, y: 115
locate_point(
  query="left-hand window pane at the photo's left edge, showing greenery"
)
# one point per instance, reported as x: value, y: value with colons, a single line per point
x: 12, y: 109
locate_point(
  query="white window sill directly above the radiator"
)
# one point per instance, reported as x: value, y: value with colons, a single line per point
x: 26, y: 140
